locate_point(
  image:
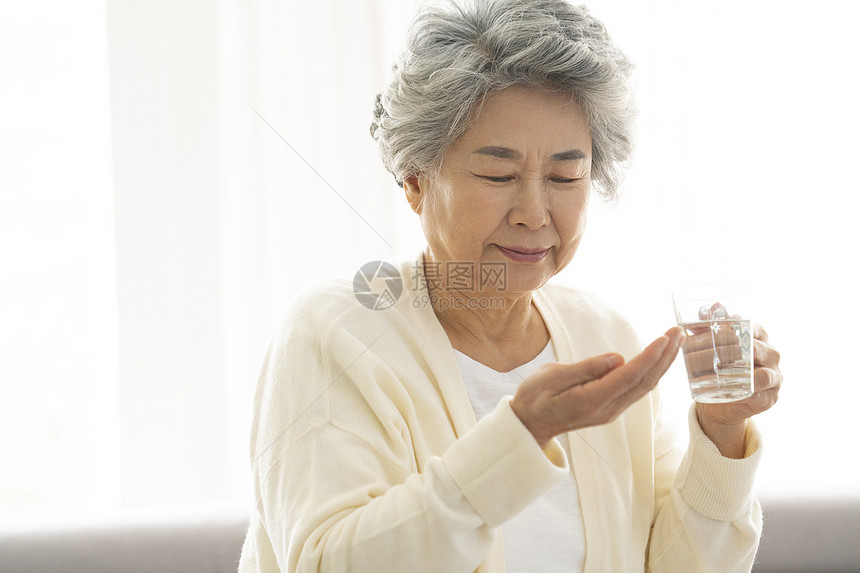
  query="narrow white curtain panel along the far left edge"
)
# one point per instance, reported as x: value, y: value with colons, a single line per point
x: 59, y: 420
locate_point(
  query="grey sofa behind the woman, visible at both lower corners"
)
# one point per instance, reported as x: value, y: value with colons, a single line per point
x: 799, y: 536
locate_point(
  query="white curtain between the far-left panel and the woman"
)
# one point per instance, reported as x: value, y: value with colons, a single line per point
x: 244, y: 171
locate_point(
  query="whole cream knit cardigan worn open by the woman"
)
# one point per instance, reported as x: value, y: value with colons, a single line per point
x: 366, y: 455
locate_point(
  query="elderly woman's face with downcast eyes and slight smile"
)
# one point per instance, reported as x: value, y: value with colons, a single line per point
x: 513, y: 188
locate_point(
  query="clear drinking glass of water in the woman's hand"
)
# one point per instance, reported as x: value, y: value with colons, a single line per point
x: 718, y: 351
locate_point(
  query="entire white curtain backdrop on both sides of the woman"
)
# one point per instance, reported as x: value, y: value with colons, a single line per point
x: 175, y: 172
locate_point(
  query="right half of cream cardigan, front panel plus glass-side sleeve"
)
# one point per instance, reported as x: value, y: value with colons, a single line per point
x: 702, y: 516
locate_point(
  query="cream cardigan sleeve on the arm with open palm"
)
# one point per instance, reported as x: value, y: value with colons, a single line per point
x: 338, y: 486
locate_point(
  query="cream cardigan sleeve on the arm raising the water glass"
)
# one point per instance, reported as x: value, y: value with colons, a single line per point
x: 708, y: 518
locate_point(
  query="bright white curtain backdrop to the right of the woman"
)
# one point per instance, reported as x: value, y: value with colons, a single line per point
x: 747, y: 137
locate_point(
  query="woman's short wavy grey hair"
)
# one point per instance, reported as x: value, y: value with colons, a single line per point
x: 459, y: 53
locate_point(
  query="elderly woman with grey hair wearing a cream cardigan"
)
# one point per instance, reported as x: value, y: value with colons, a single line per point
x: 482, y: 418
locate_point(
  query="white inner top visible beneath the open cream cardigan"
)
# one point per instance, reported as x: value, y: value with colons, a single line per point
x: 548, y: 536
